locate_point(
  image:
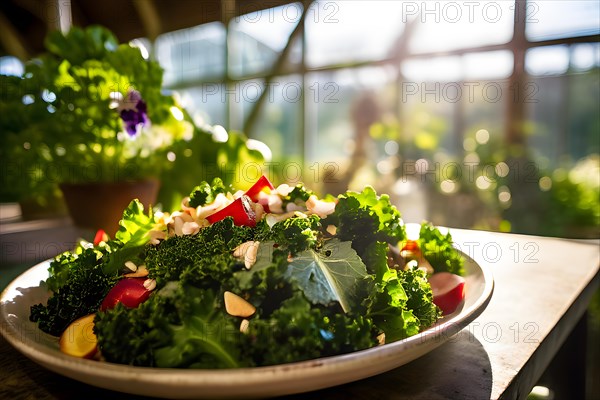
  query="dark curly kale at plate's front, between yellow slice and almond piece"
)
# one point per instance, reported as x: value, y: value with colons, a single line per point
x: 177, y: 327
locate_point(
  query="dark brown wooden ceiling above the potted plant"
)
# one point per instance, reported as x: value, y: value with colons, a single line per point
x: 24, y: 23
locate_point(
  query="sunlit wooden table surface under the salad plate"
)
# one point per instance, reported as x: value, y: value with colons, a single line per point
x: 543, y: 288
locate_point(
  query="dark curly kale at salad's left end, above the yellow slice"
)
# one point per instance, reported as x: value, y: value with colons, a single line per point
x: 79, y: 286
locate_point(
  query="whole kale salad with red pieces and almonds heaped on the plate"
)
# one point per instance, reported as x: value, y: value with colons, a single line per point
x: 266, y: 276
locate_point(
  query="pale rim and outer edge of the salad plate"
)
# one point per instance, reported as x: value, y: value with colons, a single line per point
x: 221, y: 379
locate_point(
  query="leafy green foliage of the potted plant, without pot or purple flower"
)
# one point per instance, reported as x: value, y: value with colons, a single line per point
x: 59, y: 124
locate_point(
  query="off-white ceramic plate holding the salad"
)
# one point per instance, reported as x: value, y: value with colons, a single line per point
x: 233, y: 383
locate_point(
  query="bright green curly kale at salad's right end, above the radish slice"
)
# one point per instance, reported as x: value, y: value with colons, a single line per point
x: 438, y: 250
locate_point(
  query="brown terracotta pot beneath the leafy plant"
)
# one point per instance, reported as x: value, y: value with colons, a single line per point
x: 100, y: 205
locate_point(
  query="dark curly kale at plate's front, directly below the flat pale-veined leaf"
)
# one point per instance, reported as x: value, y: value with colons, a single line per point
x: 298, y: 331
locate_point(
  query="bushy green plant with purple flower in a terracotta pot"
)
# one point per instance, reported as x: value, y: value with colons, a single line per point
x: 90, y: 117
